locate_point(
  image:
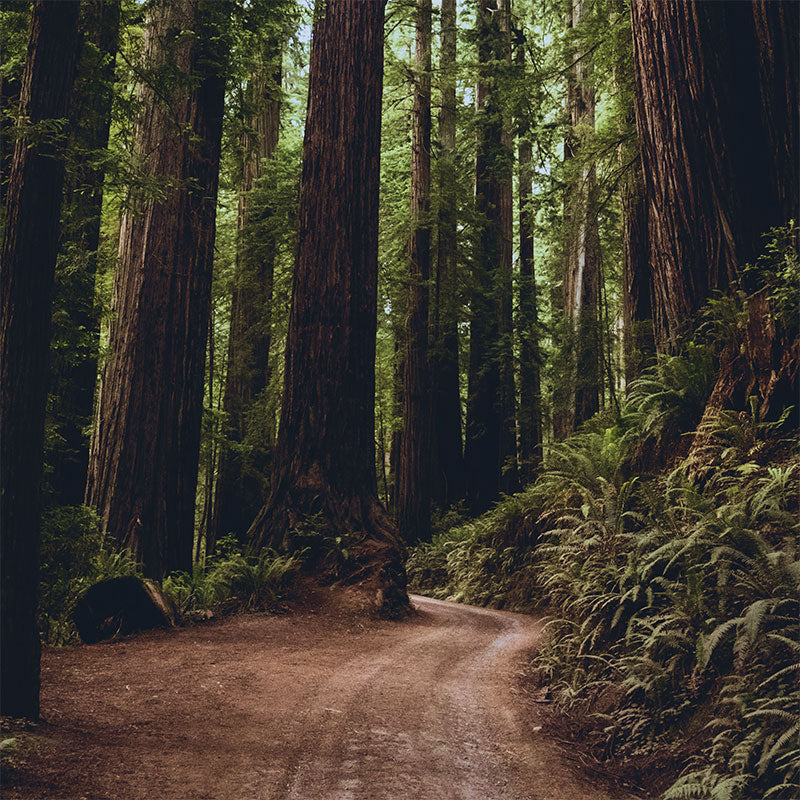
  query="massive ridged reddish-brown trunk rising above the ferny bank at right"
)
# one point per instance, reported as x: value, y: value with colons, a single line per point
x: 719, y: 160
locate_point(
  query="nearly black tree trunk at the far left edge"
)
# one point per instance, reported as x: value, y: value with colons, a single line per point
x: 29, y: 255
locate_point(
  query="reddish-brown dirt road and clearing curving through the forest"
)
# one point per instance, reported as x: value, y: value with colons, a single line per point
x: 315, y: 705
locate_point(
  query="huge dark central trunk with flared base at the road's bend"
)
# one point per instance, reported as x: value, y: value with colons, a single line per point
x: 324, y: 471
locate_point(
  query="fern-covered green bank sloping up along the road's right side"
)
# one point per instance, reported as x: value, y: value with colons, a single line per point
x: 672, y: 601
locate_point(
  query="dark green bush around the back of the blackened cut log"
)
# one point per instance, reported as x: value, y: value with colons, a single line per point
x: 74, y: 555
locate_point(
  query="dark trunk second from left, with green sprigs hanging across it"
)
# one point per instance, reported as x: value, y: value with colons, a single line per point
x: 76, y: 323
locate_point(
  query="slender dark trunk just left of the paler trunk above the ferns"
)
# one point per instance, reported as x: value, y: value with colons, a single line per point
x: 530, y: 390
